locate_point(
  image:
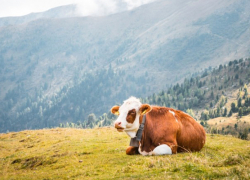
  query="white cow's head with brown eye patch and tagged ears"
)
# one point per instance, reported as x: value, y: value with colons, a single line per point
x: 128, y: 115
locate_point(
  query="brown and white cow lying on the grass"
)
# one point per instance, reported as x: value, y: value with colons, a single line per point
x: 166, y: 130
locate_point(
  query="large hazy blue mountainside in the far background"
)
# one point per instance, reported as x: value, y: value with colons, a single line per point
x: 91, y: 63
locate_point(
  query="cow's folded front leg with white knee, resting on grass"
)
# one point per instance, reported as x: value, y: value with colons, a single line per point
x: 165, y: 149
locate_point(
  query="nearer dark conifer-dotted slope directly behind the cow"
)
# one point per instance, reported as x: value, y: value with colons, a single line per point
x: 206, y: 96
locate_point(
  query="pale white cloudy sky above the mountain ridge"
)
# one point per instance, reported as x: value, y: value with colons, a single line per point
x: 87, y: 7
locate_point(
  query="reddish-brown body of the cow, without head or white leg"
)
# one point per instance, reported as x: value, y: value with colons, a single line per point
x: 176, y: 129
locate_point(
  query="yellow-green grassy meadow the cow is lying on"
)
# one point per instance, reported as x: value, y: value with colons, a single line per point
x: 100, y: 154
